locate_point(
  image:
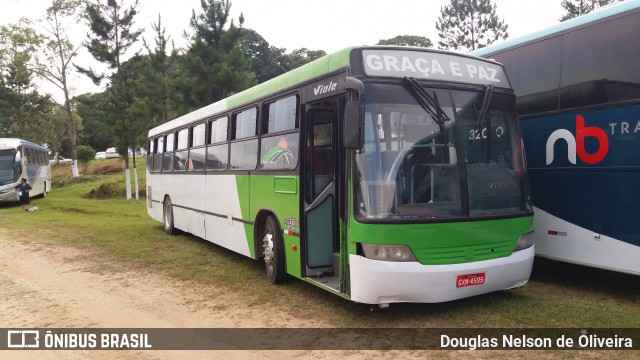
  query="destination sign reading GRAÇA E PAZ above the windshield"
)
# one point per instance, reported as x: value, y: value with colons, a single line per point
x: 432, y: 66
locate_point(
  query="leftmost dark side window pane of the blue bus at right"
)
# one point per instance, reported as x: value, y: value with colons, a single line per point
x: 534, y: 71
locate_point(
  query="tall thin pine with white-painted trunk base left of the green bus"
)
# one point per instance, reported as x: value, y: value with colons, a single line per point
x: 111, y: 35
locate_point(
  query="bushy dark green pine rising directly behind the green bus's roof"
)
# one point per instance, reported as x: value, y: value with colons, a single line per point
x: 215, y: 65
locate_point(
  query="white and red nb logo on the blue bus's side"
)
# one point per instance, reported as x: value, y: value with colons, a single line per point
x: 575, y: 145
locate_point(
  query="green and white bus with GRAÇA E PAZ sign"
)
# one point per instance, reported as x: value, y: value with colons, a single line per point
x: 381, y: 174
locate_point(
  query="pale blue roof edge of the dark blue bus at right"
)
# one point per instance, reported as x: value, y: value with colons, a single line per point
x: 577, y: 22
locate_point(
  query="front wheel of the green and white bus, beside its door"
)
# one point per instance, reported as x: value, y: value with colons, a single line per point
x: 273, y: 246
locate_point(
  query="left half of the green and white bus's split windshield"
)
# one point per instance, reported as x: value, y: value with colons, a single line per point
x: 407, y: 169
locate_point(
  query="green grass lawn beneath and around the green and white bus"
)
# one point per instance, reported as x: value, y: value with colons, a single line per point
x: 558, y: 295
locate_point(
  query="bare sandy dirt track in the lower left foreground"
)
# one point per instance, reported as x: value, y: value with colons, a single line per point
x: 63, y: 287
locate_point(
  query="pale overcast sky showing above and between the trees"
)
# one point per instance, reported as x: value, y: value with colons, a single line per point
x: 328, y: 25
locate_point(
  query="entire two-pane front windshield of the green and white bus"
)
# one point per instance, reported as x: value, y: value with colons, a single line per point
x: 460, y: 157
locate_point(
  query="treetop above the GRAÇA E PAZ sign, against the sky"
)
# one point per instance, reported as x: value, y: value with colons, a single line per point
x: 469, y: 24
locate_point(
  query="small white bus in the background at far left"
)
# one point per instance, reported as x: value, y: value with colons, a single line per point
x: 23, y: 159
